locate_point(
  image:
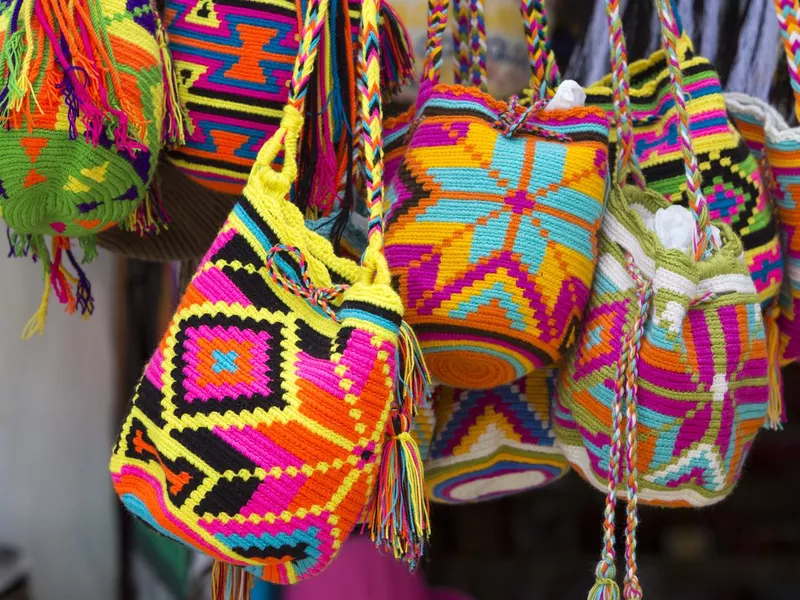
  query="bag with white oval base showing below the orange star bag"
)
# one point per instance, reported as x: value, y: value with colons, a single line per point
x: 493, y: 443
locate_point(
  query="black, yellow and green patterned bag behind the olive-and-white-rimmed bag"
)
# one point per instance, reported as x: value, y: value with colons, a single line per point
x: 731, y: 180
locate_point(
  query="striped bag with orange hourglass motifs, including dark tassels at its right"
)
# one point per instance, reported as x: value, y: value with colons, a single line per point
x: 234, y: 62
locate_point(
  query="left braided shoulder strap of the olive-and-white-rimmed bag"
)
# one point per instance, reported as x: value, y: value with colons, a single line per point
x: 627, y: 161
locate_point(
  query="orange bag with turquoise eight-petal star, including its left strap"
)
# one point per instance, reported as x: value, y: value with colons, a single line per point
x: 491, y: 230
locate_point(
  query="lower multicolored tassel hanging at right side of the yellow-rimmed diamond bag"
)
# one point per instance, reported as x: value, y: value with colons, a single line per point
x: 398, y: 517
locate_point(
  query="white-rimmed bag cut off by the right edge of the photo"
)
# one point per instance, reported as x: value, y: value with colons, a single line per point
x: 778, y: 147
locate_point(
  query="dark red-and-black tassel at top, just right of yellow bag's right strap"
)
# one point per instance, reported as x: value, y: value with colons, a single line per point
x: 397, y: 52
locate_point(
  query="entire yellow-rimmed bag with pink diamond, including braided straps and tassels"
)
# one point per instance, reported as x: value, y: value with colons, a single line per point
x: 275, y: 413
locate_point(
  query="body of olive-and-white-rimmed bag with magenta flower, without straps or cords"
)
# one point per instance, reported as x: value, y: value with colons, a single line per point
x: 702, y: 366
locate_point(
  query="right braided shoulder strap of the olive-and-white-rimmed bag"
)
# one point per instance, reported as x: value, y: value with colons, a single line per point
x: 670, y: 33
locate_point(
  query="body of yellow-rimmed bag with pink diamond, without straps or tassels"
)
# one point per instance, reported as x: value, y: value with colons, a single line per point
x: 255, y: 430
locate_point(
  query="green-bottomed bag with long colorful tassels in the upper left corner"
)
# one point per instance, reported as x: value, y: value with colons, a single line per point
x: 87, y: 100
